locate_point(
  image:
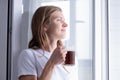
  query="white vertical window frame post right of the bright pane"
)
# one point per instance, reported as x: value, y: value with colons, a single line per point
x: 101, y: 40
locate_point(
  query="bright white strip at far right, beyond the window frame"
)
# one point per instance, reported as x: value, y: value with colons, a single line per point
x: 114, y: 37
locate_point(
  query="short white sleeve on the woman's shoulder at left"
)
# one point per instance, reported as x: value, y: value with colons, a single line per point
x: 26, y: 63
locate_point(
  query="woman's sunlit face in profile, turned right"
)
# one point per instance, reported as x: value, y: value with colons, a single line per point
x: 56, y: 29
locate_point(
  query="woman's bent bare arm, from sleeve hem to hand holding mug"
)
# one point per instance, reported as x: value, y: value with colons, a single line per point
x: 57, y: 57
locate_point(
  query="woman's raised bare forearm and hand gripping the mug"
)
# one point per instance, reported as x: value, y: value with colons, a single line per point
x: 57, y: 57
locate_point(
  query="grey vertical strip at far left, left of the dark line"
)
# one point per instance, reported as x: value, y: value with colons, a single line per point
x: 3, y: 38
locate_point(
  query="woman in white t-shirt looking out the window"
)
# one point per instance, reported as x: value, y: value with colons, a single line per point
x: 44, y: 58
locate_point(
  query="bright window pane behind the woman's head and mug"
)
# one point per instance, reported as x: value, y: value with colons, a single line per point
x: 77, y: 14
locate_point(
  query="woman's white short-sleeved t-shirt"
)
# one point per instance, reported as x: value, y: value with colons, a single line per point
x: 32, y: 62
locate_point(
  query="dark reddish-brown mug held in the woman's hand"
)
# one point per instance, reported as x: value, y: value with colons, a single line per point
x: 70, y: 58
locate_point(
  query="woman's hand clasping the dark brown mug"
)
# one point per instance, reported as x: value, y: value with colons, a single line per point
x: 58, y: 55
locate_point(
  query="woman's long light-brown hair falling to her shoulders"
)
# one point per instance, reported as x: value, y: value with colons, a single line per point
x: 40, y: 18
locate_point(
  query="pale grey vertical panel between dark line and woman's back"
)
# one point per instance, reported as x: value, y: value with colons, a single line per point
x: 19, y: 35
